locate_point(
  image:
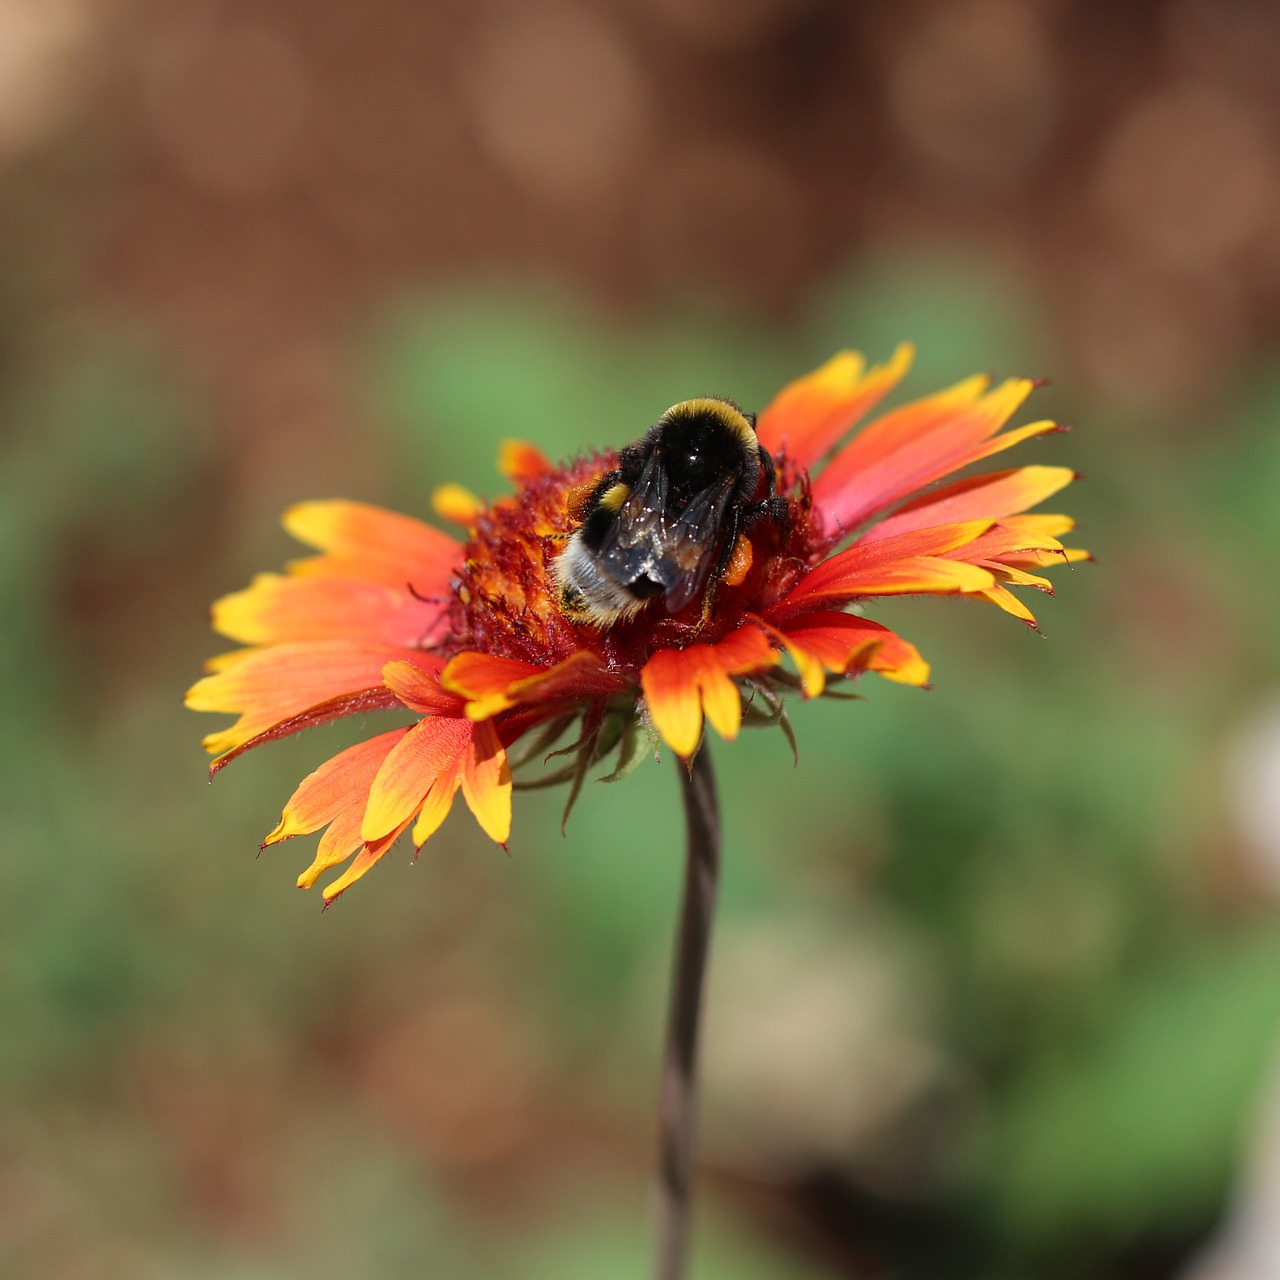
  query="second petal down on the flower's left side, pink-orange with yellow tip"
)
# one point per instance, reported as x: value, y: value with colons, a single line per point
x: 280, y: 610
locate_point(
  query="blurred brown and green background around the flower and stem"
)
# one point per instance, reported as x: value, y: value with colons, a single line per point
x: 996, y: 990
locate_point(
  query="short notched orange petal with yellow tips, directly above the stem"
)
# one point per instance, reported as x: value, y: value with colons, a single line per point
x: 683, y: 687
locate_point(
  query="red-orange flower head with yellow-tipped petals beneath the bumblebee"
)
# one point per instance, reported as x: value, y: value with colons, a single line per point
x: 468, y: 636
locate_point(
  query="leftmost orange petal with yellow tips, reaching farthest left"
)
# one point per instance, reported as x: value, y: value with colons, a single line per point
x: 276, y: 685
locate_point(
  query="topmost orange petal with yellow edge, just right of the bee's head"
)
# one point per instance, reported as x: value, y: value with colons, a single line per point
x: 811, y: 415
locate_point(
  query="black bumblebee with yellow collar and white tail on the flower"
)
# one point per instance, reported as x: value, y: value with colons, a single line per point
x: 666, y: 522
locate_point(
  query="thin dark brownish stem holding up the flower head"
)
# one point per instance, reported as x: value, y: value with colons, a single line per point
x: 678, y: 1117
